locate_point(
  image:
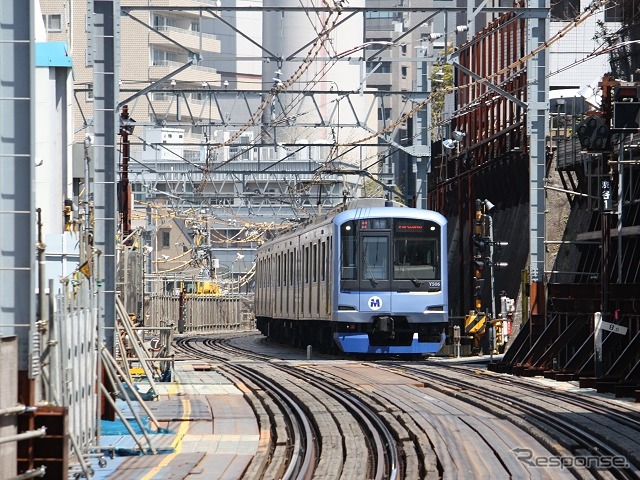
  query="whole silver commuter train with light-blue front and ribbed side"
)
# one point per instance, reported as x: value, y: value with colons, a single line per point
x: 369, y: 280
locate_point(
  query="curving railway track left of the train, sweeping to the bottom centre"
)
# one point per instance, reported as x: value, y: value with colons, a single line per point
x: 353, y: 441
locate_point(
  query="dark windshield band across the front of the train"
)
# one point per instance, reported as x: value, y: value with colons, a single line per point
x: 382, y: 254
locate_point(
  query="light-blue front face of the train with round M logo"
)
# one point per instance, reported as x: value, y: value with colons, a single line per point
x: 390, y: 283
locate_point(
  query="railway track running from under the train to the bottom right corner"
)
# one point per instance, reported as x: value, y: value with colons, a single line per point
x: 588, y: 434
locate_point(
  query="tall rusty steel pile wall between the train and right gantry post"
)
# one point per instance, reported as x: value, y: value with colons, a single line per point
x: 491, y: 161
